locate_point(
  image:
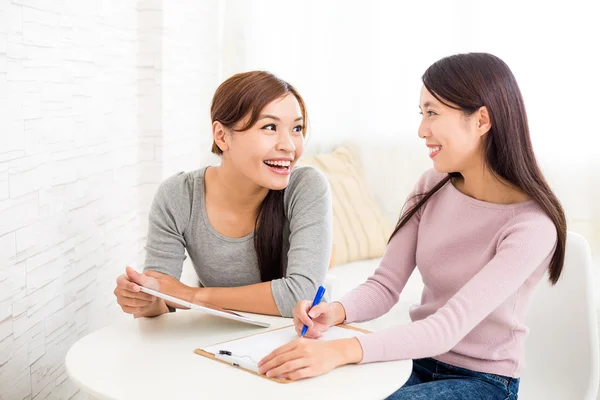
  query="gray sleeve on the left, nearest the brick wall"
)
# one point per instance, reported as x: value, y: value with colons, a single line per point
x: 169, y: 216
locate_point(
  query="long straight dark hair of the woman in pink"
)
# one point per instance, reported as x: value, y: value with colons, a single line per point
x: 468, y: 82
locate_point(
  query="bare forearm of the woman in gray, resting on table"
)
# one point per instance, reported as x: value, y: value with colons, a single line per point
x: 257, y: 298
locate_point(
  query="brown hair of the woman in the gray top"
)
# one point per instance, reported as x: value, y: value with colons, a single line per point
x: 244, y: 96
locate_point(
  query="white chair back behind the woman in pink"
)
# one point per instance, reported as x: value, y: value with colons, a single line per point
x: 561, y: 351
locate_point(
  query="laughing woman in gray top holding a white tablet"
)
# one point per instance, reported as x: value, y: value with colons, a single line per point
x: 257, y: 229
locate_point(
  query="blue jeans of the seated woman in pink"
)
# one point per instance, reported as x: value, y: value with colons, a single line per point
x: 432, y: 379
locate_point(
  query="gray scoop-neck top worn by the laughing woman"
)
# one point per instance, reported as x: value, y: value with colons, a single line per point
x: 178, y: 222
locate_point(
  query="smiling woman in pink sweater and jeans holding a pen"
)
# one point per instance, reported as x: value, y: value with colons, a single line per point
x: 483, y: 227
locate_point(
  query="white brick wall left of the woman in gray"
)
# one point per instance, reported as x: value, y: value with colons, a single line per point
x: 99, y: 101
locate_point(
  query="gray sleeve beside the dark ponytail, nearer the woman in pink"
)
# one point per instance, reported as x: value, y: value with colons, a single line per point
x: 309, y: 211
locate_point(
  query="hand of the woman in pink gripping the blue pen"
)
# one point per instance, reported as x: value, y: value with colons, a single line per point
x: 318, y: 318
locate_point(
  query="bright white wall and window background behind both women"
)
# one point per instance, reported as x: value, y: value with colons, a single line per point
x: 101, y: 100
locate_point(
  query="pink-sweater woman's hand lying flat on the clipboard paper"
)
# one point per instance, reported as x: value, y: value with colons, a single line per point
x: 304, y: 358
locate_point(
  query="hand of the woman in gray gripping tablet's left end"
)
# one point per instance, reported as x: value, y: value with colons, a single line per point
x: 132, y: 301
